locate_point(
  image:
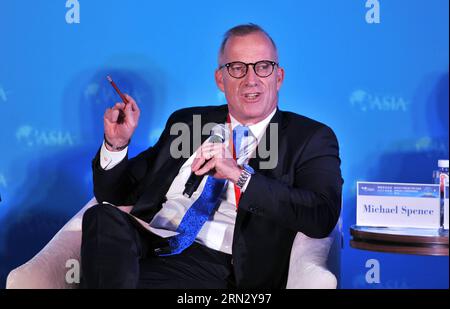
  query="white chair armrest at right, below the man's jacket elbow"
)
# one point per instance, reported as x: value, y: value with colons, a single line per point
x: 307, y: 265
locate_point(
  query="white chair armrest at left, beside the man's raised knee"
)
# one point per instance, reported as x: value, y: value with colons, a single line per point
x: 47, y: 269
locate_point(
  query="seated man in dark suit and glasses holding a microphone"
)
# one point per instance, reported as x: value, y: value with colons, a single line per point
x: 262, y: 201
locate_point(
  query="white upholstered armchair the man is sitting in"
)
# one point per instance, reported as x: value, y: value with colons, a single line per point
x: 48, y: 269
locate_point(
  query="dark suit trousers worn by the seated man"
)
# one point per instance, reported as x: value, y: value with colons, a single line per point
x: 117, y: 252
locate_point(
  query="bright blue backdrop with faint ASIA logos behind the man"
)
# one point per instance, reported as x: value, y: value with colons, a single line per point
x: 383, y: 88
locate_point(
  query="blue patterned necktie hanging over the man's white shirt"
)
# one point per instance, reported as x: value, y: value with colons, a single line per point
x: 201, y: 209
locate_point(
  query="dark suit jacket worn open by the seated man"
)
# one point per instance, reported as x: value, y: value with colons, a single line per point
x: 302, y: 193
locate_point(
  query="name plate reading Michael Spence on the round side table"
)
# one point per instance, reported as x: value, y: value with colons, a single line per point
x: 397, y: 205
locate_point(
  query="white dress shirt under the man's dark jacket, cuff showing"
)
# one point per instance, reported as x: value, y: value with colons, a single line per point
x: 217, y: 232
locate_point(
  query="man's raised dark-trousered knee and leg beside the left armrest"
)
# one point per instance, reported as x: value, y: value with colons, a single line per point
x: 111, y: 248
